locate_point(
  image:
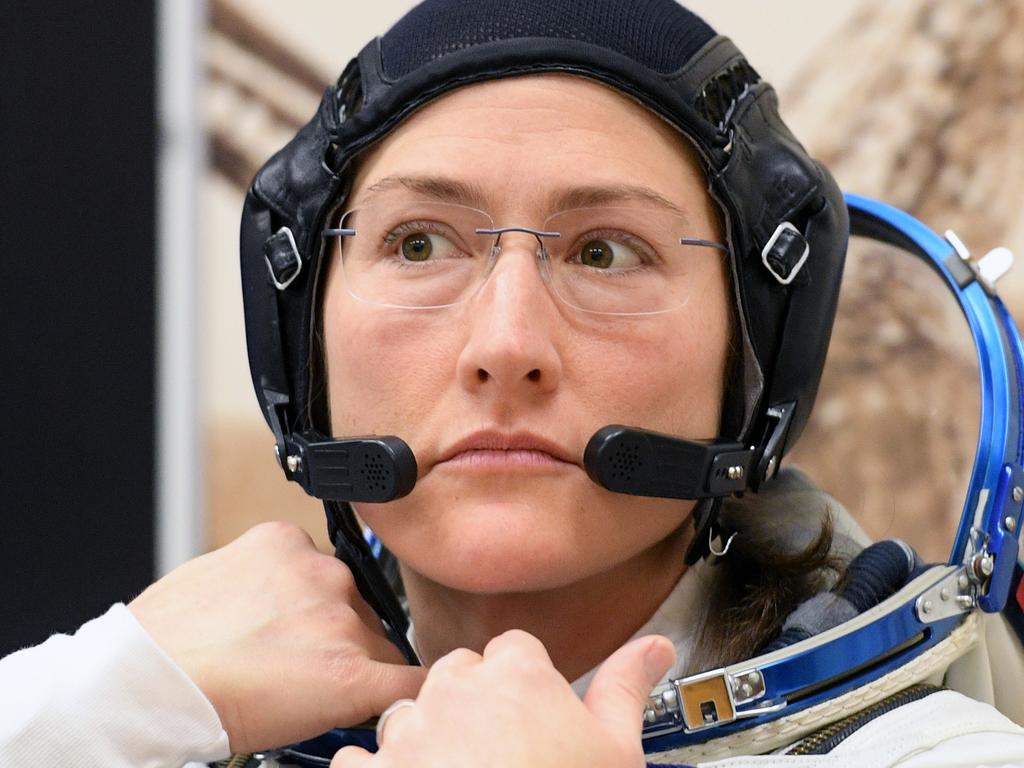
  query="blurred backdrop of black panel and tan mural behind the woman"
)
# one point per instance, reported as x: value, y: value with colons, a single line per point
x: 131, y: 133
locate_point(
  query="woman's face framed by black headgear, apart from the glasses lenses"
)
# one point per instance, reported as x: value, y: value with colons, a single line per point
x: 521, y: 375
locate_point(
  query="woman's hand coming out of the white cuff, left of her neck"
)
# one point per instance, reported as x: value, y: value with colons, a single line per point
x: 277, y: 636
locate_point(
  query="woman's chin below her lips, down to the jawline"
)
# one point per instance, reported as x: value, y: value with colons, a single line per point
x: 522, y: 538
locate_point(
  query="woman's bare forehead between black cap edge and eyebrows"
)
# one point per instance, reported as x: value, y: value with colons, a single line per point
x: 526, y: 142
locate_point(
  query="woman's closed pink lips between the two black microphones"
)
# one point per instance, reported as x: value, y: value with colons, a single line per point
x: 492, y: 450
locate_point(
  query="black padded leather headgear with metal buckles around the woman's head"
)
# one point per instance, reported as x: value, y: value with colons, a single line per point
x: 786, y: 222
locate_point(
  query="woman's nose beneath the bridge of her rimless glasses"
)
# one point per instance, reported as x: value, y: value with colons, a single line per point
x: 513, y: 350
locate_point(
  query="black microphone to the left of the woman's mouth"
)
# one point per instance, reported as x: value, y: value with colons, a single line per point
x: 353, y: 470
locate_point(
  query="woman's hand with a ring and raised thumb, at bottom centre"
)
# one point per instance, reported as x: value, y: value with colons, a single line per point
x: 513, y: 708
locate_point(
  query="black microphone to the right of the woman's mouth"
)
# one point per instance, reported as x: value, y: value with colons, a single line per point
x: 639, y: 462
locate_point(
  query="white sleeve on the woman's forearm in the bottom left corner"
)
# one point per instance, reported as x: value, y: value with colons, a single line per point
x: 107, y: 696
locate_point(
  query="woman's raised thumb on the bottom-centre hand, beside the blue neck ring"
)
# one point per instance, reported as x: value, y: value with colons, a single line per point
x: 620, y: 690
